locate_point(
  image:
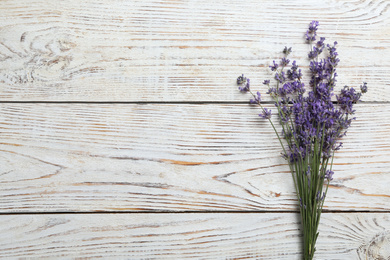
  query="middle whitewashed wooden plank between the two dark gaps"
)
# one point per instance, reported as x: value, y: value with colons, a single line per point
x: 136, y: 157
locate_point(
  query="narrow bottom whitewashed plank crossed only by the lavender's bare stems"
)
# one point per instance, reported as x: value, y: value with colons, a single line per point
x: 191, y: 236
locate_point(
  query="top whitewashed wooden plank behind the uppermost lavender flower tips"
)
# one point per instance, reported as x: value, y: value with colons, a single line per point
x: 178, y: 50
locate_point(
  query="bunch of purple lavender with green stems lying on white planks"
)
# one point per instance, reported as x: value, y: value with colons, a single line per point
x: 312, y: 125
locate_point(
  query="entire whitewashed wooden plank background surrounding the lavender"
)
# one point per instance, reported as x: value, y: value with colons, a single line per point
x: 123, y: 134
